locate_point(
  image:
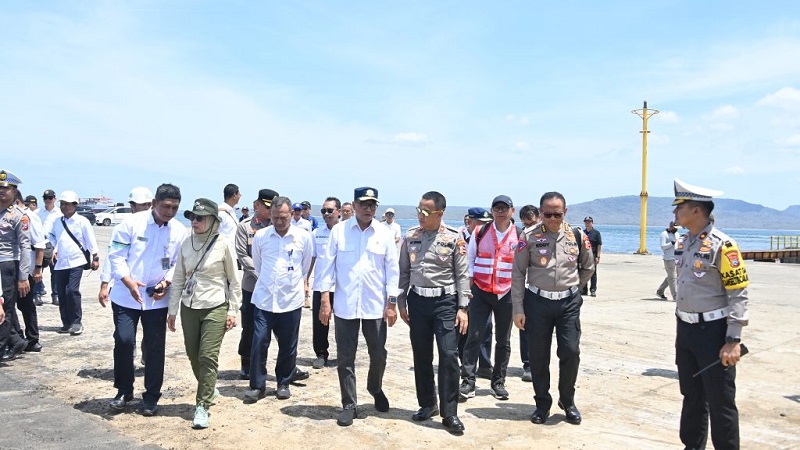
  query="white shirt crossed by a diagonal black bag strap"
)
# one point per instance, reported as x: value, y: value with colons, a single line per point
x: 68, y: 253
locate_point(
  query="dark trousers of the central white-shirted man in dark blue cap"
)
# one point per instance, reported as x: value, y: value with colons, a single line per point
x: 374, y: 331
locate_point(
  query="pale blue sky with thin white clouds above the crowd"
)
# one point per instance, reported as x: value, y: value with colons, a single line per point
x: 472, y: 99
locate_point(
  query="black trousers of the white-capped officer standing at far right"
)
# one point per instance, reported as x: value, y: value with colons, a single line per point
x: 713, y: 393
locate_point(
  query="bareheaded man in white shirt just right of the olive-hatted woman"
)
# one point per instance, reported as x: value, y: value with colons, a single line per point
x: 282, y: 259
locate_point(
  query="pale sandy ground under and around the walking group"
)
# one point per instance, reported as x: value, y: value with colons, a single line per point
x: 627, y: 387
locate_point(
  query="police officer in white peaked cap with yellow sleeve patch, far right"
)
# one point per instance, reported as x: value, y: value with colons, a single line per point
x: 711, y: 309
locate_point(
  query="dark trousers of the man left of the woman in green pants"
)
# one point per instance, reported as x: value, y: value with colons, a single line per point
x: 154, y: 329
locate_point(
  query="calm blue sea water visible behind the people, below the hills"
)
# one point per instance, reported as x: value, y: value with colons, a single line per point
x: 625, y: 238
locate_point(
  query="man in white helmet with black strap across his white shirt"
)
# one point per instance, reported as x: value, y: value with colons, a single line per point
x: 71, y: 235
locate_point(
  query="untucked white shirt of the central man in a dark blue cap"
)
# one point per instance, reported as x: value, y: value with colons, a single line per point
x: 364, y: 268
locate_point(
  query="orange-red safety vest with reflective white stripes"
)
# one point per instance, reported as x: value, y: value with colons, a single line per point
x: 494, y: 261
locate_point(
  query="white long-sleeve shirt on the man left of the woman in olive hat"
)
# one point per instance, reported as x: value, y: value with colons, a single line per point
x: 146, y: 252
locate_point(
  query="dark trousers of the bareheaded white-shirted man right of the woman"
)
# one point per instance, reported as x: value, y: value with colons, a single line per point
x: 286, y: 327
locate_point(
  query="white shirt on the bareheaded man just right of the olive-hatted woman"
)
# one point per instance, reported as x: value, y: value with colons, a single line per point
x: 282, y: 264
